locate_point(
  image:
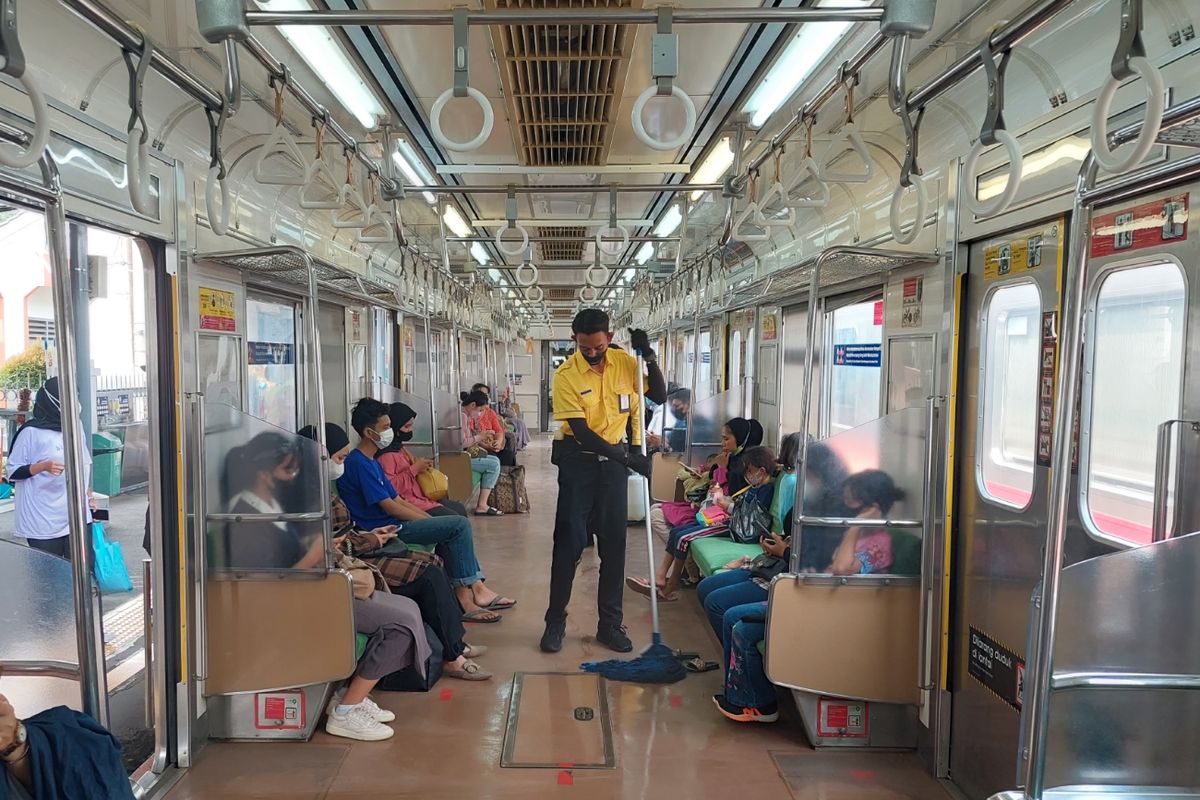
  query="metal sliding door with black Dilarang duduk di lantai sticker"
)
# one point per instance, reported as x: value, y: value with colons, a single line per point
x: 1007, y: 383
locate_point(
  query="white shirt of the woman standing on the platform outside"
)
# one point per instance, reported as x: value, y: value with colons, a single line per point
x: 43, y: 500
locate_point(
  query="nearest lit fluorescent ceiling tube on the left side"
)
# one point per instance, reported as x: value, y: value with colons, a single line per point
x: 325, y: 56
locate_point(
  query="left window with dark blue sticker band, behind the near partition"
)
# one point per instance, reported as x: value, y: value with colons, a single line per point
x: 272, y: 358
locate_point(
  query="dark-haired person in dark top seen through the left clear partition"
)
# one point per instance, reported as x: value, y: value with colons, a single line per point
x: 257, y: 479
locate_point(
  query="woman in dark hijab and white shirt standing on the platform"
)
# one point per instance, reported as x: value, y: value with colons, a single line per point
x: 38, y: 464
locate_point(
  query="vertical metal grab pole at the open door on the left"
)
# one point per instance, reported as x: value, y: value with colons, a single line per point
x: 93, y: 671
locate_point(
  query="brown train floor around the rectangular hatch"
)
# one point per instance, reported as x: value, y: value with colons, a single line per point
x: 669, y: 741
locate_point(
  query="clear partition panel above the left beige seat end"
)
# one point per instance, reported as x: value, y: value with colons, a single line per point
x: 259, y: 478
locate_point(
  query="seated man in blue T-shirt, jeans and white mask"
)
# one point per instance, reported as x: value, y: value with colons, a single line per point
x: 374, y: 504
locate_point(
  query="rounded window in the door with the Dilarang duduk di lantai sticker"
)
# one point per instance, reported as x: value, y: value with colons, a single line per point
x: 1009, y: 394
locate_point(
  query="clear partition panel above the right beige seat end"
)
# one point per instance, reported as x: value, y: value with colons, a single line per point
x: 875, y: 472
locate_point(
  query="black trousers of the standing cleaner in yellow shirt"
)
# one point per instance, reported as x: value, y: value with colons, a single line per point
x: 590, y: 490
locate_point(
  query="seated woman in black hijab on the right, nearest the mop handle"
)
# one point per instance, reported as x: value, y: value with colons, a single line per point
x: 729, y: 482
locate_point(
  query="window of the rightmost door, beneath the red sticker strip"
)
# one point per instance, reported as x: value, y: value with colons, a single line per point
x: 1137, y: 340
